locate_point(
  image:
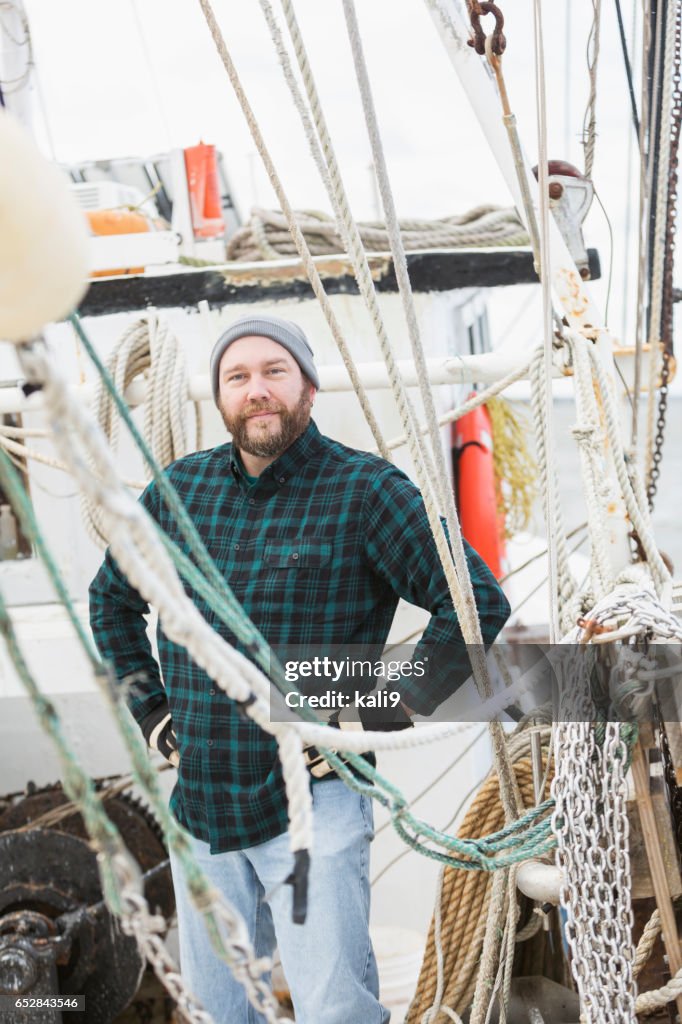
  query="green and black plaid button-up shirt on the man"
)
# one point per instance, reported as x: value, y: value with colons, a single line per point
x: 318, y: 550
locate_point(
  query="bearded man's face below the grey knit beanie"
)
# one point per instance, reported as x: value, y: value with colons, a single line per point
x: 265, y: 400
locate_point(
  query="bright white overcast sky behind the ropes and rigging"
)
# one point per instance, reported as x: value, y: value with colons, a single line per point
x: 136, y: 77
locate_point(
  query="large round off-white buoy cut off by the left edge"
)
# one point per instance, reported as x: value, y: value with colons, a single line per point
x: 44, y: 238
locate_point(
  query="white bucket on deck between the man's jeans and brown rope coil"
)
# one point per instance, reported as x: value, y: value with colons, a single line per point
x: 400, y: 953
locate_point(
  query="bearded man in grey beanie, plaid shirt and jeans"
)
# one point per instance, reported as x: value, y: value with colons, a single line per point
x: 318, y: 542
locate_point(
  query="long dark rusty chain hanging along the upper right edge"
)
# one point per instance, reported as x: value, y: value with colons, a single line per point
x: 667, y: 316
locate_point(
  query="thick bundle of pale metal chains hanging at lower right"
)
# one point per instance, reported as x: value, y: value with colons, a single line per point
x: 591, y: 827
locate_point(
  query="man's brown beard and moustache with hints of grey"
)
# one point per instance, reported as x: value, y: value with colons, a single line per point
x: 271, y: 439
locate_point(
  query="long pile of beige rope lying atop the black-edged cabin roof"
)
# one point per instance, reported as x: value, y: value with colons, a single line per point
x: 267, y: 235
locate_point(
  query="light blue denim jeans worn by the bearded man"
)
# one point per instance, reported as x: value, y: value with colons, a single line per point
x: 329, y: 961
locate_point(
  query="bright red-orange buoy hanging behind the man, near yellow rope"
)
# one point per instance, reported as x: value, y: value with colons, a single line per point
x: 476, y: 490
